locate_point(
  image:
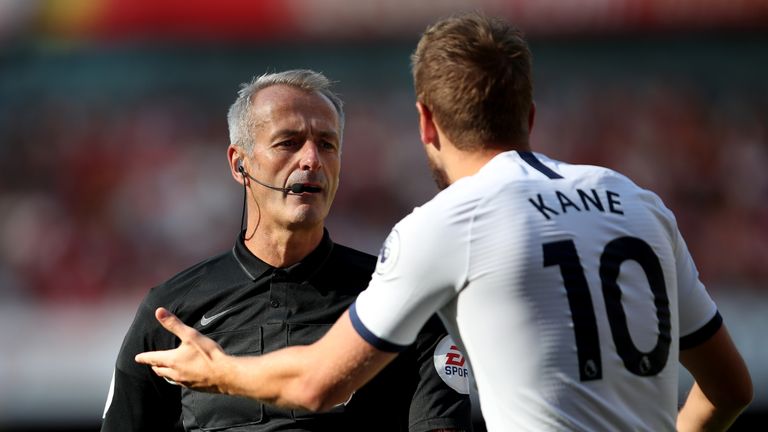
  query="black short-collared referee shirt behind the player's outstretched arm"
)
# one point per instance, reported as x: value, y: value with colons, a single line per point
x: 249, y: 307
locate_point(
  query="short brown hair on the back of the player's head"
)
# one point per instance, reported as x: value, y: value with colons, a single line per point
x: 474, y: 74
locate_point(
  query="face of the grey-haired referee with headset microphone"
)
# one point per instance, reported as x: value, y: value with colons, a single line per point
x: 296, y: 140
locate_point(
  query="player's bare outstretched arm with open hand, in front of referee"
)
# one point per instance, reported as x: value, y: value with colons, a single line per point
x: 314, y: 377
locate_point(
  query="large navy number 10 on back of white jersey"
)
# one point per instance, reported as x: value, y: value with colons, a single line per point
x: 563, y: 254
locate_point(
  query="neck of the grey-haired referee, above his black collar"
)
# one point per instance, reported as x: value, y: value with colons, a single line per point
x: 280, y: 247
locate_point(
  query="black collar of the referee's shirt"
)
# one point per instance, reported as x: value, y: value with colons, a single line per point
x: 255, y: 268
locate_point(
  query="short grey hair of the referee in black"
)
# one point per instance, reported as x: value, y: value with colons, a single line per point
x: 239, y: 118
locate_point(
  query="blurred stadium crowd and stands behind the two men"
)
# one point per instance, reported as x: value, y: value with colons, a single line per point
x: 113, y: 174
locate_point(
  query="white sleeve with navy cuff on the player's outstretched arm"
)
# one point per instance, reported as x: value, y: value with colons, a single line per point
x: 419, y: 268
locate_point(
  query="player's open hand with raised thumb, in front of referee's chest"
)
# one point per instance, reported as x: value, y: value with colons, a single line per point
x: 194, y: 364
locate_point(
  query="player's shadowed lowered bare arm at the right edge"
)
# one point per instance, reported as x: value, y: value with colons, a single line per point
x: 722, y: 387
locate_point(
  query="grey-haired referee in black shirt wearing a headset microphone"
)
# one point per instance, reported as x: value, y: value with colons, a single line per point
x: 283, y: 283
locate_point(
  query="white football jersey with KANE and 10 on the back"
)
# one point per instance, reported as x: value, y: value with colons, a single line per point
x: 569, y: 288
